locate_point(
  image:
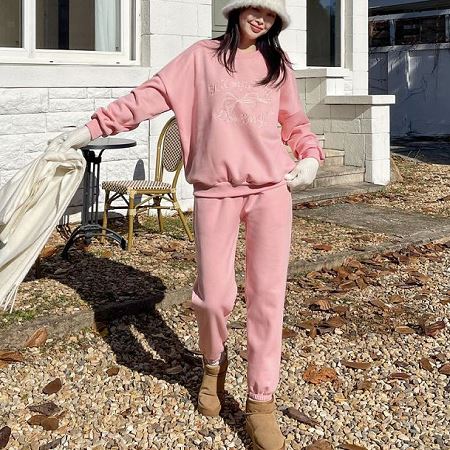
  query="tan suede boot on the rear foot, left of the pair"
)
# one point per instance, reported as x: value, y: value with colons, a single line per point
x: 211, y: 395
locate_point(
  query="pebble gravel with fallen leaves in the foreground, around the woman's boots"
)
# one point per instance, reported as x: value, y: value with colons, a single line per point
x: 133, y: 384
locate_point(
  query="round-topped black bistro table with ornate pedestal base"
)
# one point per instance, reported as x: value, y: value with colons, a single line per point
x: 91, y: 191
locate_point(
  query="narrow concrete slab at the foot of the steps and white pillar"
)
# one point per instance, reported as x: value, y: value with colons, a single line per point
x: 338, y: 191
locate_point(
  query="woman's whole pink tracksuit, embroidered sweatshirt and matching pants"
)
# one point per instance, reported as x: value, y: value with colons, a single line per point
x: 234, y: 157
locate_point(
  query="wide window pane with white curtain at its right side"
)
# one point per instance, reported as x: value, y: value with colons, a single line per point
x: 78, y: 25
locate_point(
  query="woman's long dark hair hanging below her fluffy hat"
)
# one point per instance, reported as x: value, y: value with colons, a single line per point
x: 268, y: 44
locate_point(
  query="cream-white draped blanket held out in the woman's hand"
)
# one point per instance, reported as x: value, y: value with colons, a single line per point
x: 31, y: 205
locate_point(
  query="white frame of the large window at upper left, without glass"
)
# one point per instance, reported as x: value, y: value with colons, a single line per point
x: 28, y: 54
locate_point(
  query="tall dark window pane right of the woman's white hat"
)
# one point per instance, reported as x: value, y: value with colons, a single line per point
x: 323, y: 32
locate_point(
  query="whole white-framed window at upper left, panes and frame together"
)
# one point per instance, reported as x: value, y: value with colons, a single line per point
x: 71, y: 31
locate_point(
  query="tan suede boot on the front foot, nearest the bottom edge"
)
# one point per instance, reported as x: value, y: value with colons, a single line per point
x: 261, y: 425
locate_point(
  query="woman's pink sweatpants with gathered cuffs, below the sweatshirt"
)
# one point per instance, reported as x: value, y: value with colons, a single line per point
x: 267, y: 217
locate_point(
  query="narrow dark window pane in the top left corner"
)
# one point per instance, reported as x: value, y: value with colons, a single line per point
x: 11, y: 23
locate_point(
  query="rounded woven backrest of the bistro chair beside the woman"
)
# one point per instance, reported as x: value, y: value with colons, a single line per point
x: 169, y: 152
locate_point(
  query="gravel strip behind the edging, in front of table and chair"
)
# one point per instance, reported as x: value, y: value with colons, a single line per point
x: 157, y: 262
